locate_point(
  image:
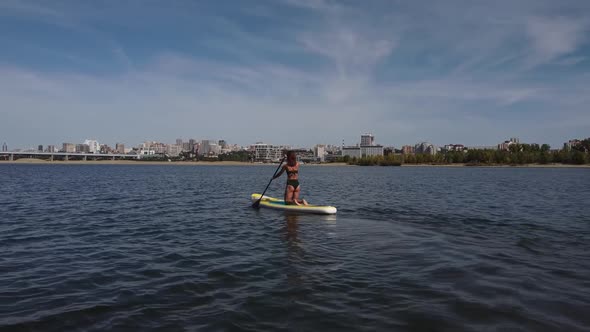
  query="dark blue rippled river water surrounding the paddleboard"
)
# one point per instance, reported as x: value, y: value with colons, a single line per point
x: 178, y: 247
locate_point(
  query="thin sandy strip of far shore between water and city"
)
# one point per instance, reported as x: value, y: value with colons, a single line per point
x: 240, y: 163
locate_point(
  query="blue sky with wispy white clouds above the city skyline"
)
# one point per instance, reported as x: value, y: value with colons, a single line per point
x: 294, y: 72
